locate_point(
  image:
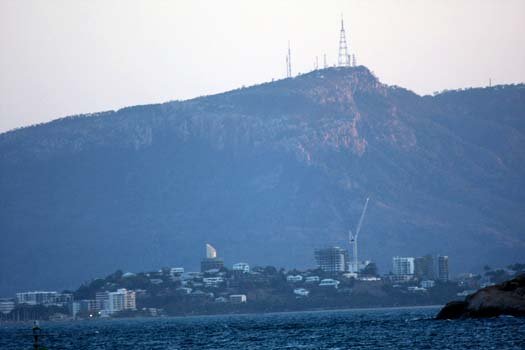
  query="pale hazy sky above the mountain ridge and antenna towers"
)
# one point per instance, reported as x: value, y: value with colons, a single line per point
x: 68, y: 57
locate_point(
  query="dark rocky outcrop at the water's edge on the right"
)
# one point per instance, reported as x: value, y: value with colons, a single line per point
x: 507, y: 298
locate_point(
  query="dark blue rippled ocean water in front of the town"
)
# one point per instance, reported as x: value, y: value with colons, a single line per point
x: 411, y: 328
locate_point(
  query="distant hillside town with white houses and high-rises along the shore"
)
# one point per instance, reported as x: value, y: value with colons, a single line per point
x: 336, y: 282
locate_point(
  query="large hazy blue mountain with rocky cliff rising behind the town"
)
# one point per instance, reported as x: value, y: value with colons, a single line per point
x: 266, y: 174
